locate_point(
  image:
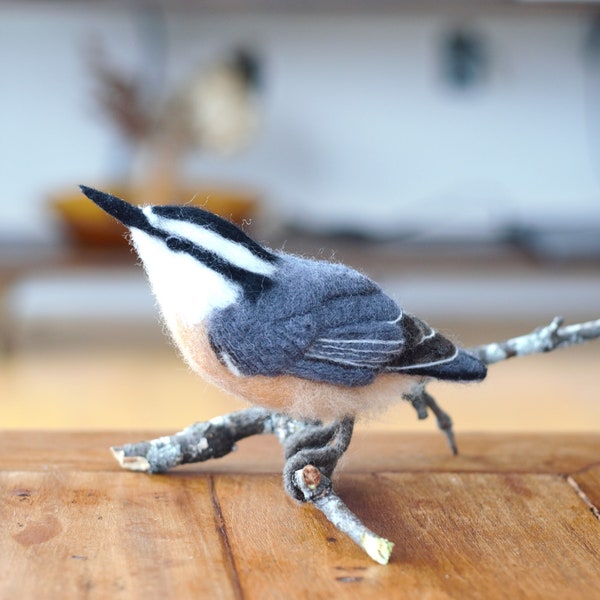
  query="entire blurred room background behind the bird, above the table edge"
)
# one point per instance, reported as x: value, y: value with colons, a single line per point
x: 450, y: 150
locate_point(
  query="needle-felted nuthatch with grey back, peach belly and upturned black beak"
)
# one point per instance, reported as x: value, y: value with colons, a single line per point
x: 313, y: 339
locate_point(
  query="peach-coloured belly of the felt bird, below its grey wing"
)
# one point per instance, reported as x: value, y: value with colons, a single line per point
x: 286, y: 393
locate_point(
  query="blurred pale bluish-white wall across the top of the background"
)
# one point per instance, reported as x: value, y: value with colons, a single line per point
x: 359, y: 127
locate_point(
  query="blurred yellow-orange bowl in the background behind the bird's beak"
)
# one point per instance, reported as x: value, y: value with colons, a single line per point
x: 88, y: 225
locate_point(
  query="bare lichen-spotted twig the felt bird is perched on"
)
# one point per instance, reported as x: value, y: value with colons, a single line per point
x: 313, y: 449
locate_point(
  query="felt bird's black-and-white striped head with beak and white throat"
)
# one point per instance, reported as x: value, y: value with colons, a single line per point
x: 195, y: 260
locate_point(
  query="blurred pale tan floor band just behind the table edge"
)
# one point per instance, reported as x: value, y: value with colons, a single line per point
x: 147, y: 386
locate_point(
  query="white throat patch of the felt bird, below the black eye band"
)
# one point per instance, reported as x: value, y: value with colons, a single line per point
x: 185, y: 289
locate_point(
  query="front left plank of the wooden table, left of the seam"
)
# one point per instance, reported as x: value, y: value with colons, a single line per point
x: 75, y: 535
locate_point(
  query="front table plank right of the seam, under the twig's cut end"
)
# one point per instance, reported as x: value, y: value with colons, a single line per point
x: 458, y: 536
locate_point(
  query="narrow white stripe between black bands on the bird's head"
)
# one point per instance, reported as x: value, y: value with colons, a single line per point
x: 236, y: 254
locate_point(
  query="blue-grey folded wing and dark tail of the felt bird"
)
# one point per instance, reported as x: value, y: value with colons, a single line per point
x: 343, y: 337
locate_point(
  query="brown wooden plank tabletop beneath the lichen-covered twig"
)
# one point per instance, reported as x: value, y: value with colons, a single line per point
x: 513, y: 517
